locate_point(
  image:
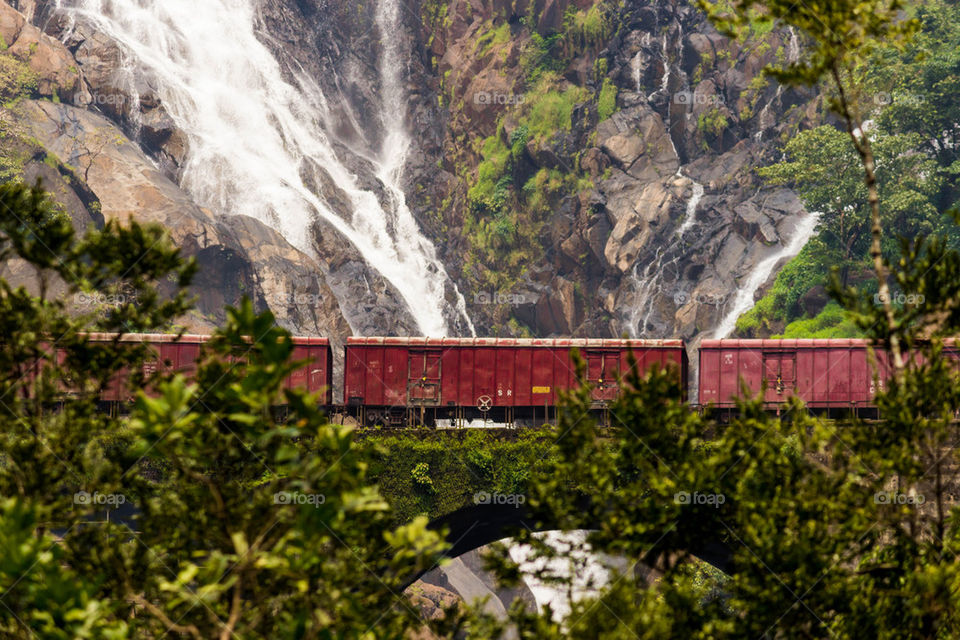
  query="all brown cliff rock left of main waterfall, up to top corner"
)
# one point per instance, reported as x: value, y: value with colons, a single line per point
x: 100, y: 174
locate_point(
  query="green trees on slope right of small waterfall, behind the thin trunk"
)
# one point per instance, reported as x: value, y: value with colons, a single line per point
x: 910, y: 98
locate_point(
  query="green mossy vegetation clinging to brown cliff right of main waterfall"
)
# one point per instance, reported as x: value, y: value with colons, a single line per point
x: 517, y: 177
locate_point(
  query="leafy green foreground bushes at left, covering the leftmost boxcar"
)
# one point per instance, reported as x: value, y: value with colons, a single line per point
x: 245, y: 526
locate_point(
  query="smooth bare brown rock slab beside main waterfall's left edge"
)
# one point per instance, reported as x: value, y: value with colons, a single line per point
x: 238, y: 255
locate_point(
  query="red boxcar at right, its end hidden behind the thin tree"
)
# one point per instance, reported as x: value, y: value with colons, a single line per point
x: 825, y: 374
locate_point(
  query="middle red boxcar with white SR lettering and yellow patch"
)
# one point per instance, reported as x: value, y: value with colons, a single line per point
x: 409, y: 380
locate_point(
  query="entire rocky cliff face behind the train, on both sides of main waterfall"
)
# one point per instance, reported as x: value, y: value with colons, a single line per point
x: 639, y: 214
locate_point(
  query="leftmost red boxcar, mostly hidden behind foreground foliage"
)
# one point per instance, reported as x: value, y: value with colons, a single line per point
x: 179, y: 354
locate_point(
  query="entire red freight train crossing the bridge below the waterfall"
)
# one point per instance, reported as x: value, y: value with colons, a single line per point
x: 453, y: 381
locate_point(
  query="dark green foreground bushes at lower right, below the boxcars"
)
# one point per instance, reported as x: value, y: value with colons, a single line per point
x: 804, y: 509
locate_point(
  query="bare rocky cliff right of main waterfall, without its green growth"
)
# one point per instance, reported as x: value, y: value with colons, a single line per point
x: 693, y: 121
